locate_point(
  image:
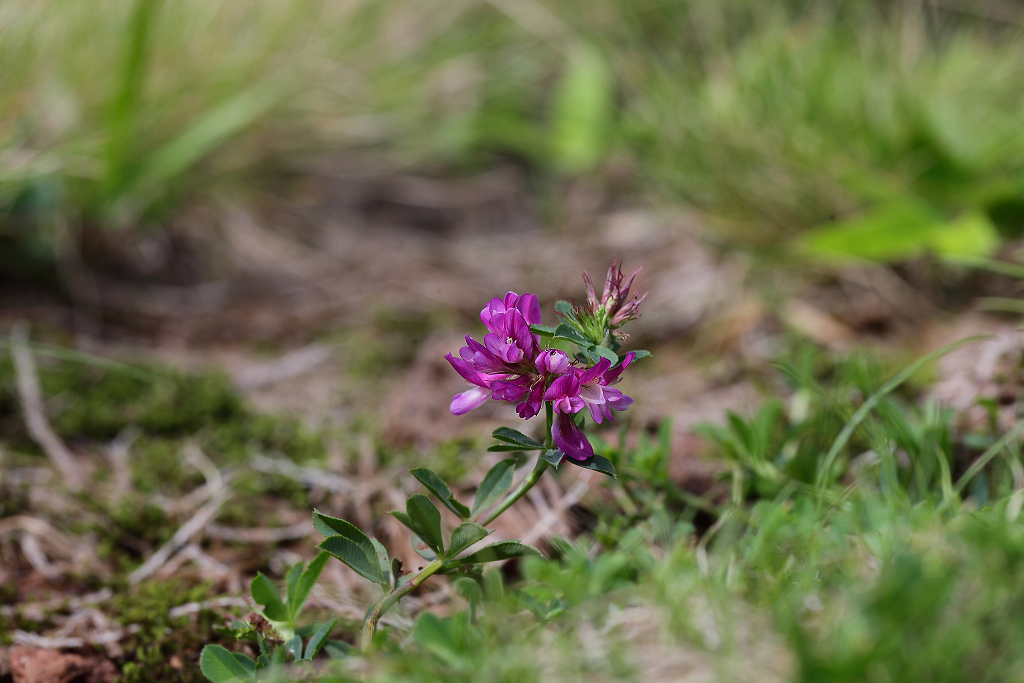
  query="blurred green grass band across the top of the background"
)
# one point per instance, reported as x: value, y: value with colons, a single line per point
x: 900, y: 120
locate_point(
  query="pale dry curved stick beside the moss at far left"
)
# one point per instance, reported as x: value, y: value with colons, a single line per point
x: 35, y: 415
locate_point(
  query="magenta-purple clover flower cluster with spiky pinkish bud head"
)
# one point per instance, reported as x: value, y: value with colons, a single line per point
x: 511, y: 364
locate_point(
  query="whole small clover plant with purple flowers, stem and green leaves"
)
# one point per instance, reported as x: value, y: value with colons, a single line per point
x: 517, y: 364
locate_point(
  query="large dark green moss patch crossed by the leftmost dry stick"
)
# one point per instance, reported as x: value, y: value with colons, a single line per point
x: 97, y: 404
